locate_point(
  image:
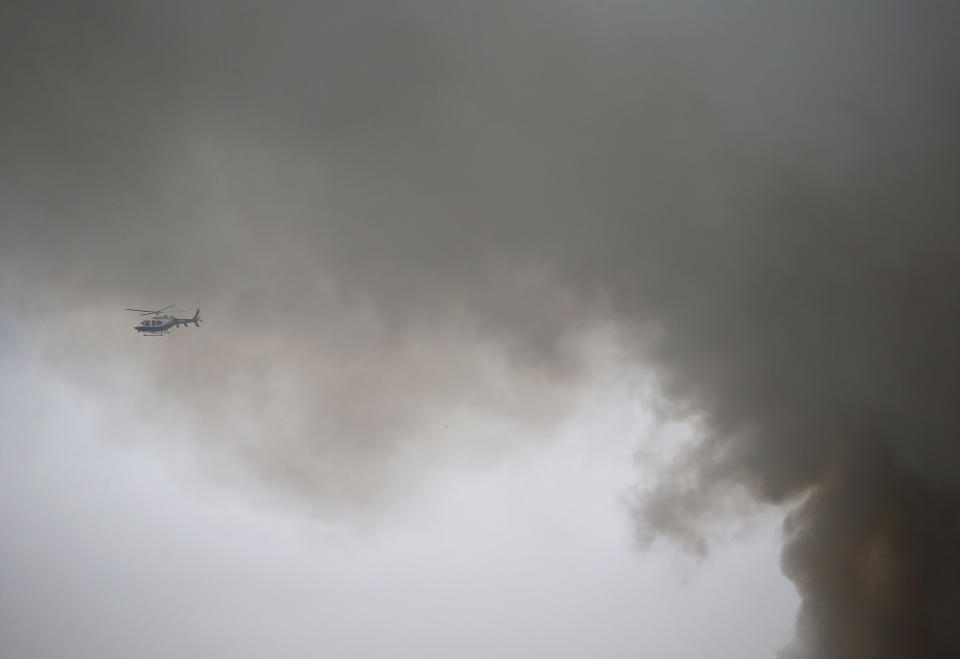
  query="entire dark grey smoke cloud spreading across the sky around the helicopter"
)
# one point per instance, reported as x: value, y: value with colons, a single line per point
x: 390, y: 209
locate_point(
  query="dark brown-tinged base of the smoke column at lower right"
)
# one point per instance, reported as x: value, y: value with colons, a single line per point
x: 872, y: 554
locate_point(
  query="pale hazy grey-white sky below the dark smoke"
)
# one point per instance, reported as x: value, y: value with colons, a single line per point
x: 126, y: 546
